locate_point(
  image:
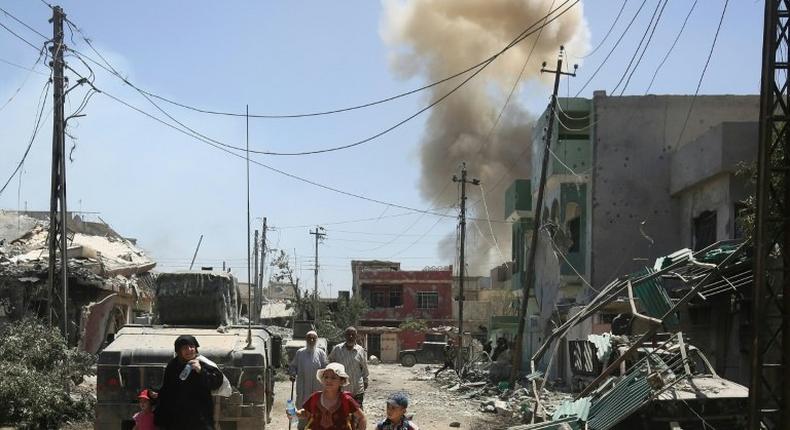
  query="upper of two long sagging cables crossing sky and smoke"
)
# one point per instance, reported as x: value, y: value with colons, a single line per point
x: 332, y: 111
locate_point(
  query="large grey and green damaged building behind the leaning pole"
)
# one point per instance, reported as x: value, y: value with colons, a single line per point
x: 630, y: 180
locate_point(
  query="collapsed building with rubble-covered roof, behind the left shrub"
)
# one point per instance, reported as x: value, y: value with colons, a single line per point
x: 110, y: 282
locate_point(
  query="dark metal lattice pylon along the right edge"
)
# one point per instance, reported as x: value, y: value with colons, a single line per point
x: 769, y: 390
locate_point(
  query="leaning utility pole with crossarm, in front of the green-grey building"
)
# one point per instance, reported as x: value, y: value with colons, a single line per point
x: 538, y: 206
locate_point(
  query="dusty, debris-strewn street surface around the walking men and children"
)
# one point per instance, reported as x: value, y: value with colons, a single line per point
x: 432, y: 407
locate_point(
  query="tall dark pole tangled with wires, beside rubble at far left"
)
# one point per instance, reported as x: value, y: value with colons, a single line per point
x: 57, y: 206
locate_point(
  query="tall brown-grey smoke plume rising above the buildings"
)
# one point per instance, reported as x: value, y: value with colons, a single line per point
x: 436, y: 38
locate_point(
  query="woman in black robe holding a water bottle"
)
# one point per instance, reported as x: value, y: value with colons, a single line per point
x: 185, y: 402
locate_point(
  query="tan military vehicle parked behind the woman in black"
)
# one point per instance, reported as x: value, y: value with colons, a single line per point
x: 205, y: 305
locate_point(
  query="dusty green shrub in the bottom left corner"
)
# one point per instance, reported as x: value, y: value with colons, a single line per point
x: 39, y: 373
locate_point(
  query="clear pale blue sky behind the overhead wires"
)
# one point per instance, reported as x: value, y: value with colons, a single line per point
x: 167, y: 189
